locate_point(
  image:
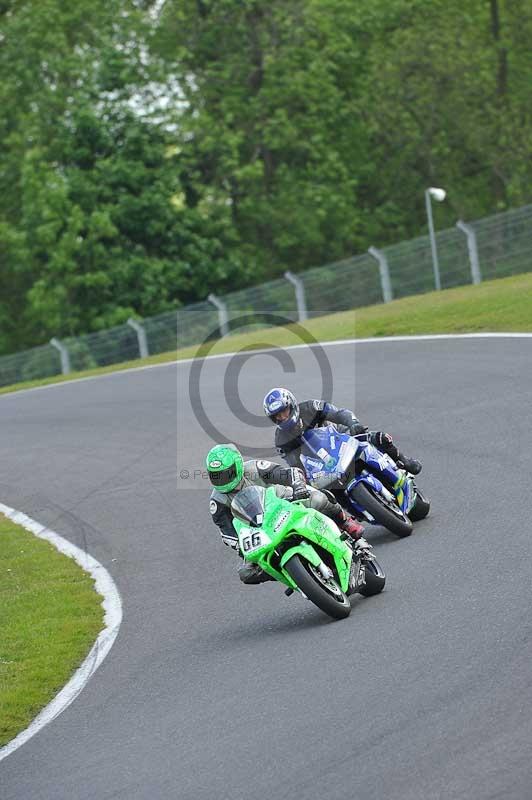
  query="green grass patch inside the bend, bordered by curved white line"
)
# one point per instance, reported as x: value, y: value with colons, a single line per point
x: 50, y: 617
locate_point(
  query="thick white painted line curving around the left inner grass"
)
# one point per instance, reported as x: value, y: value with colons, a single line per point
x: 112, y: 606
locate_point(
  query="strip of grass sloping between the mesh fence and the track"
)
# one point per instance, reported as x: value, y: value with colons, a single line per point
x: 499, y: 305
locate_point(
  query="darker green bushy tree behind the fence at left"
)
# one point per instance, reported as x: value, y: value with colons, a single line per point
x: 108, y: 235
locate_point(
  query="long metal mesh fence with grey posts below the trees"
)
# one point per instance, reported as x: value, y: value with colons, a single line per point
x: 503, y: 246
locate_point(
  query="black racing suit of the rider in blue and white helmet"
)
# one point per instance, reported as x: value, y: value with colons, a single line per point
x: 314, y: 413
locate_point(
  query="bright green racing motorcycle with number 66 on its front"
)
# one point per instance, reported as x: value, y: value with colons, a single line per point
x: 303, y: 549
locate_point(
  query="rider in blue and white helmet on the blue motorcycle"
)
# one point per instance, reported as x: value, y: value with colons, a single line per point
x: 293, y: 418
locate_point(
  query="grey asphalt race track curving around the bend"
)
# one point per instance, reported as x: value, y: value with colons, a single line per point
x: 219, y: 691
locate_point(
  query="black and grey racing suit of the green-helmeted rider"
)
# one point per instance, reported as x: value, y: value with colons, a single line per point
x: 287, y: 480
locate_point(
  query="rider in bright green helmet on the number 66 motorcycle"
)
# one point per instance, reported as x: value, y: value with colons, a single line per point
x: 229, y: 473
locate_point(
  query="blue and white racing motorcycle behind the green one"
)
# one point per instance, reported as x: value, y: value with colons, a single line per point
x: 368, y: 483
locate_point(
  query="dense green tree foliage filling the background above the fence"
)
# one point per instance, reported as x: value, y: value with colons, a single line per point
x: 155, y: 151
